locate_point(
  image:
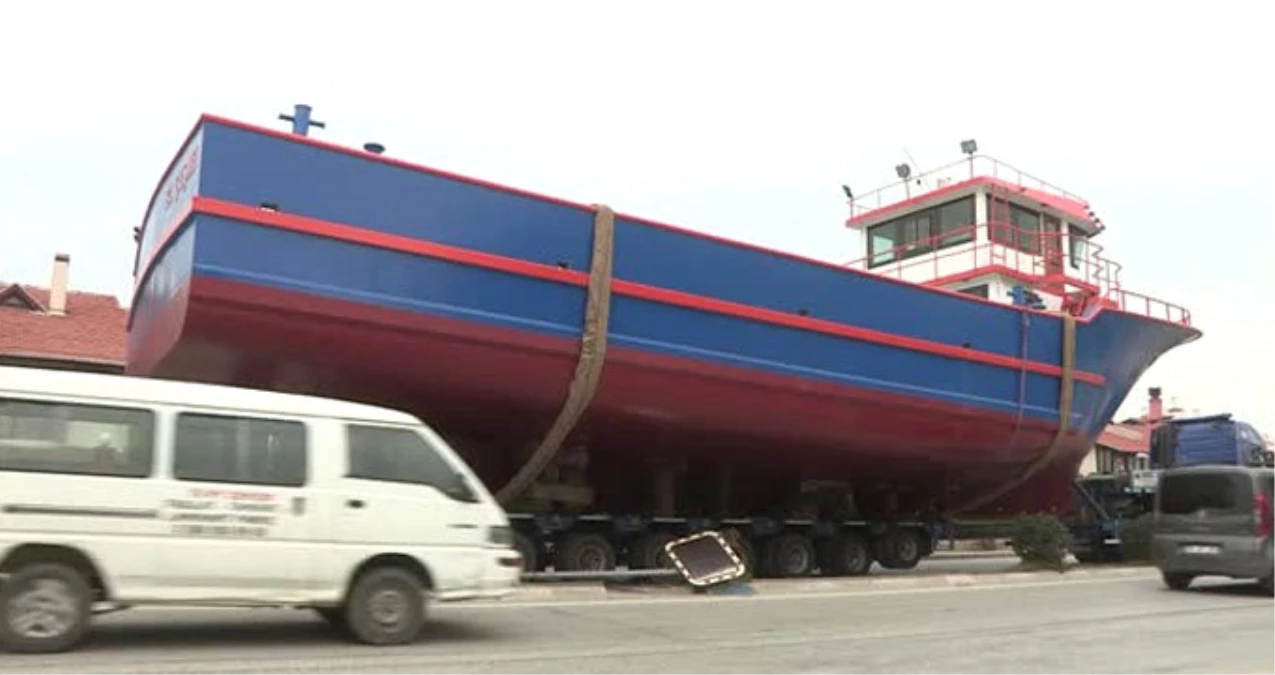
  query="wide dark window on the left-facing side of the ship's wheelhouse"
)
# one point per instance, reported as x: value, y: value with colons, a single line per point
x: 938, y: 228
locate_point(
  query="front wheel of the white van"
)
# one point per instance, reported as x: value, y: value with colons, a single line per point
x: 387, y: 607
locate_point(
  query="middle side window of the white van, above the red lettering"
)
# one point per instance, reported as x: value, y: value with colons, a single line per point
x: 221, y: 449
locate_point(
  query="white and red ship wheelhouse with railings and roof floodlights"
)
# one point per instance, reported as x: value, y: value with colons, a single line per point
x: 982, y: 228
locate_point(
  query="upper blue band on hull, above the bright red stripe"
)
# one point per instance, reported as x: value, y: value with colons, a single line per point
x: 251, y: 169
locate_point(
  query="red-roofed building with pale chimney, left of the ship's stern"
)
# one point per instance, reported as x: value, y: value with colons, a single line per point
x: 61, y: 329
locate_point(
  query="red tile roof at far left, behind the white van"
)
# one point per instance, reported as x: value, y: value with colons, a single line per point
x: 94, y: 330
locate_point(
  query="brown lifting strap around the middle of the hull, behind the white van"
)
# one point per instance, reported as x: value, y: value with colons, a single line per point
x: 588, y: 369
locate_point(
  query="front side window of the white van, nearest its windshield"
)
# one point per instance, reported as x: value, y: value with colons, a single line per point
x: 381, y: 454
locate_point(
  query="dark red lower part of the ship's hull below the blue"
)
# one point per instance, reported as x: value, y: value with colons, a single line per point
x: 495, y: 391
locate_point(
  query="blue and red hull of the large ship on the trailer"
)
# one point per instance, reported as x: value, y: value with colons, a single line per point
x: 463, y: 302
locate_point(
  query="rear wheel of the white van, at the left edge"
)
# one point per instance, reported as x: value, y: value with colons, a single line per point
x: 45, y: 609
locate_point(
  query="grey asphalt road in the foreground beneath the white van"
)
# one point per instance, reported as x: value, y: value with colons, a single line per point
x: 1087, y: 626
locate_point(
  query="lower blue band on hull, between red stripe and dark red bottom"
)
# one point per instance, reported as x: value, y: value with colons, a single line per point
x: 242, y: 252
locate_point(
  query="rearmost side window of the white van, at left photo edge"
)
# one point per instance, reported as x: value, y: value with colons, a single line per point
x: 76, y: 438
